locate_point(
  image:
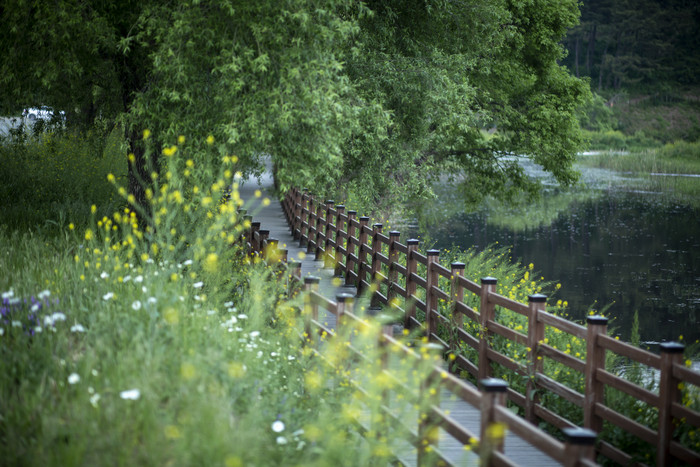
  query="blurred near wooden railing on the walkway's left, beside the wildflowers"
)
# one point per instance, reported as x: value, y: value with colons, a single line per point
x: 577, y: 450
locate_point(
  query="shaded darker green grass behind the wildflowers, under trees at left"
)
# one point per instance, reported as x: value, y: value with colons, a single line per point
x: 46, y: 175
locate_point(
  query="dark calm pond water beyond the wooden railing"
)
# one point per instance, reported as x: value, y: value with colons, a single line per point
x: 624, y: 249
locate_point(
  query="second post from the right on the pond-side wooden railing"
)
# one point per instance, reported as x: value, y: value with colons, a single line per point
x: 595, y: 359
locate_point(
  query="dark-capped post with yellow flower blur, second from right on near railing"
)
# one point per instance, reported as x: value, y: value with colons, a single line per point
x: 492, y: 433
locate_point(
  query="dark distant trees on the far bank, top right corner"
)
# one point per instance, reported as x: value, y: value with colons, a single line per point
x: 622, y: 43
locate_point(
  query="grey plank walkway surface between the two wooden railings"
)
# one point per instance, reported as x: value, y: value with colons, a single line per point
x: 272, y: 218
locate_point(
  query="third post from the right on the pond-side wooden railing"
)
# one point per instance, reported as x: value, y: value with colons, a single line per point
x: 535, y: 335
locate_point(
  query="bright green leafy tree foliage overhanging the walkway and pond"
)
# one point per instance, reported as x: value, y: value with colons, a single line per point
x: 390, y: 95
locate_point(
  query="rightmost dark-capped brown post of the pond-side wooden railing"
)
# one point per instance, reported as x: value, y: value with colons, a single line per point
x: 671, y: 354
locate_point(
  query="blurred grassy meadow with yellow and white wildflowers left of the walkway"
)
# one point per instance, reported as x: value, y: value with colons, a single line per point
x: 165, y: 344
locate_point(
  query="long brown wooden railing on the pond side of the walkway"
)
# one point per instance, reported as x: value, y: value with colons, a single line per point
x: 436, y: 304
